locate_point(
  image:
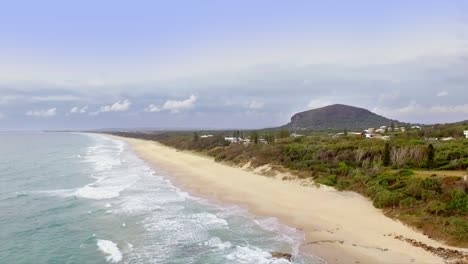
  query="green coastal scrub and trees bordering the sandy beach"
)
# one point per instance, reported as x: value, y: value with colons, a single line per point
x: 393, y: 174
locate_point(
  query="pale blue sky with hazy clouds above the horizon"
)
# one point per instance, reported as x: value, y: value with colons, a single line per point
x: 228, y: 64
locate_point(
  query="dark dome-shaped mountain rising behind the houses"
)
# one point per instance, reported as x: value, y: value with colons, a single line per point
x: 338, y: 117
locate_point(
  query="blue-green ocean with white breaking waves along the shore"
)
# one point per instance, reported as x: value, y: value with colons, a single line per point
x: 87, y: 198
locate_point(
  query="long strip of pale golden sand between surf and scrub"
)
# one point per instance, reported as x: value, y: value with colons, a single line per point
x: 340, y: 227
